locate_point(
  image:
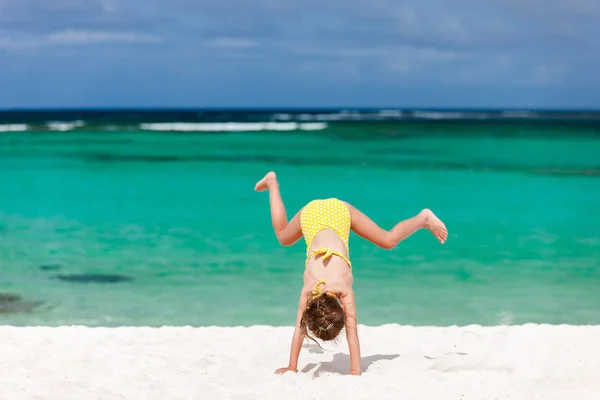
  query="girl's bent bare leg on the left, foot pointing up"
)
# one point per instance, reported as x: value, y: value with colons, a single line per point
x: 287, y: 233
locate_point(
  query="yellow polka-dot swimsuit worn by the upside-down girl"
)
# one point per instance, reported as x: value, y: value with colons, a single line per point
x: 330, y: 214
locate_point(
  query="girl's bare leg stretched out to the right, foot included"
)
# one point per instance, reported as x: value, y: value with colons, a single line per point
x: 364, y: 227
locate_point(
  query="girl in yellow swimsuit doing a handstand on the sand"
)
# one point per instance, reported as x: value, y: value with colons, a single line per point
x: 327, y: 303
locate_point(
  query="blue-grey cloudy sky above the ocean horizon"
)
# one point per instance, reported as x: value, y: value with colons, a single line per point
x: 309, y: 53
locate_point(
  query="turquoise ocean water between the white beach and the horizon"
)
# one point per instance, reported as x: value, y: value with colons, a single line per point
x: 150, y: 218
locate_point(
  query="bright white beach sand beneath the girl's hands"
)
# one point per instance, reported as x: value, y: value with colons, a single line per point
x: 399, y: 362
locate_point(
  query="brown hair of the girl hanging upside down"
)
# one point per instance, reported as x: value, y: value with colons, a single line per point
x: 323, y: 317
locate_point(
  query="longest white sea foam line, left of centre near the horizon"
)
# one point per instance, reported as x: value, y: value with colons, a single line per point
x: 232, y: 126
